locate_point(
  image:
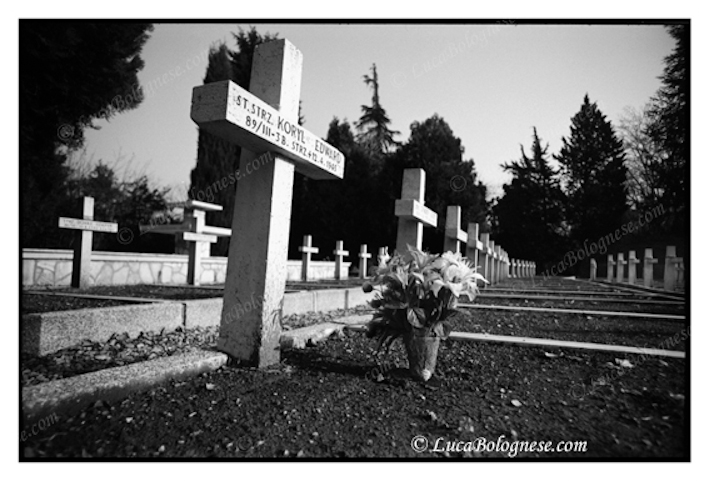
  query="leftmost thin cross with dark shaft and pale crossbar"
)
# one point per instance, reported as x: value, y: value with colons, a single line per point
x: 83, y: 242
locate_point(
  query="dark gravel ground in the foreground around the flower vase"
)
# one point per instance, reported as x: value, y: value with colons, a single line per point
x: 339, y: 400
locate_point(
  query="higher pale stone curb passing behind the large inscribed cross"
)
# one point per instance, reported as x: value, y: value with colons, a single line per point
x: 44, y: 333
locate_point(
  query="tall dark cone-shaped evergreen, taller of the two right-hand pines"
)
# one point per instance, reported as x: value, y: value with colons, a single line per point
x: 593, y: 174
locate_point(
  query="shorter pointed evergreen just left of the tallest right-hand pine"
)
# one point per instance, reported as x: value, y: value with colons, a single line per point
x: 529, y: 217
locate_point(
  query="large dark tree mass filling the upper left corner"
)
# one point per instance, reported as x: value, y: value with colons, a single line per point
x: 71, y: 73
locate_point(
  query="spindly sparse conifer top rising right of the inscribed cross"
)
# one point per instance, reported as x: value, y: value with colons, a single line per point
x: 373, y: 125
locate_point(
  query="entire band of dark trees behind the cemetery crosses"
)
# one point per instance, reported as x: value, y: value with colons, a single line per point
x: 602, y: 177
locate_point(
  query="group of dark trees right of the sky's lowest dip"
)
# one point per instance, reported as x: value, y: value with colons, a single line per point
x: 606, y: 178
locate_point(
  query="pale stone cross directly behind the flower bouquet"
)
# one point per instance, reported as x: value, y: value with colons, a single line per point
x: 412, y: 213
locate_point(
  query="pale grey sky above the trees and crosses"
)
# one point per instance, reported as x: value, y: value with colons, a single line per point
x: 491, y: 83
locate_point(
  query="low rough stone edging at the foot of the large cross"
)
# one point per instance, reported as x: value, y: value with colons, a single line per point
x: 65, y: 397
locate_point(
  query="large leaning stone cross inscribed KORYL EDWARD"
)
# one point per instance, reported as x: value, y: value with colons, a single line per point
x: 264, y: 119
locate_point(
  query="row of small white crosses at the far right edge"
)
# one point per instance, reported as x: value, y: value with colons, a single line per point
x: 674, y: 268
